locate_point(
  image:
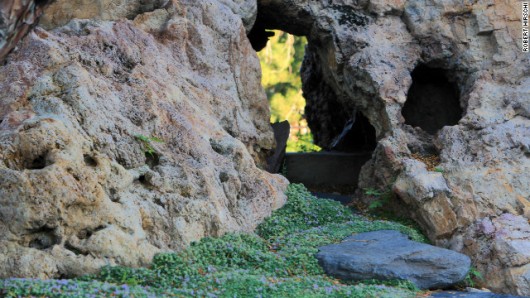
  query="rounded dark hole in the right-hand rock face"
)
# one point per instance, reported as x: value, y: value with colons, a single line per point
x: 433, y: 100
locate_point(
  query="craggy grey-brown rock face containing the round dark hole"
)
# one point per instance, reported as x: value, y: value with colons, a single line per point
x: 470, y: 108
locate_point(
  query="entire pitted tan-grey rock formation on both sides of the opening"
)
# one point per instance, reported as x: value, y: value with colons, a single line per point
x: 145, y: 127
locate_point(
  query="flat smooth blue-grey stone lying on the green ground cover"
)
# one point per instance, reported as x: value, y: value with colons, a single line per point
x: 390, y: 255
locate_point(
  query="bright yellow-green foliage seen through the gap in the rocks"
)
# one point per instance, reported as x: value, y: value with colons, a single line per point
x: 280, y: 63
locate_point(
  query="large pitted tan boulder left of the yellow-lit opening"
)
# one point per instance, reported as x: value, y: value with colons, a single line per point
x: 123, y: 138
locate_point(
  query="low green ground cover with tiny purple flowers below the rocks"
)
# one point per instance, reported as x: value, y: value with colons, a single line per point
x: 278, y: 261
